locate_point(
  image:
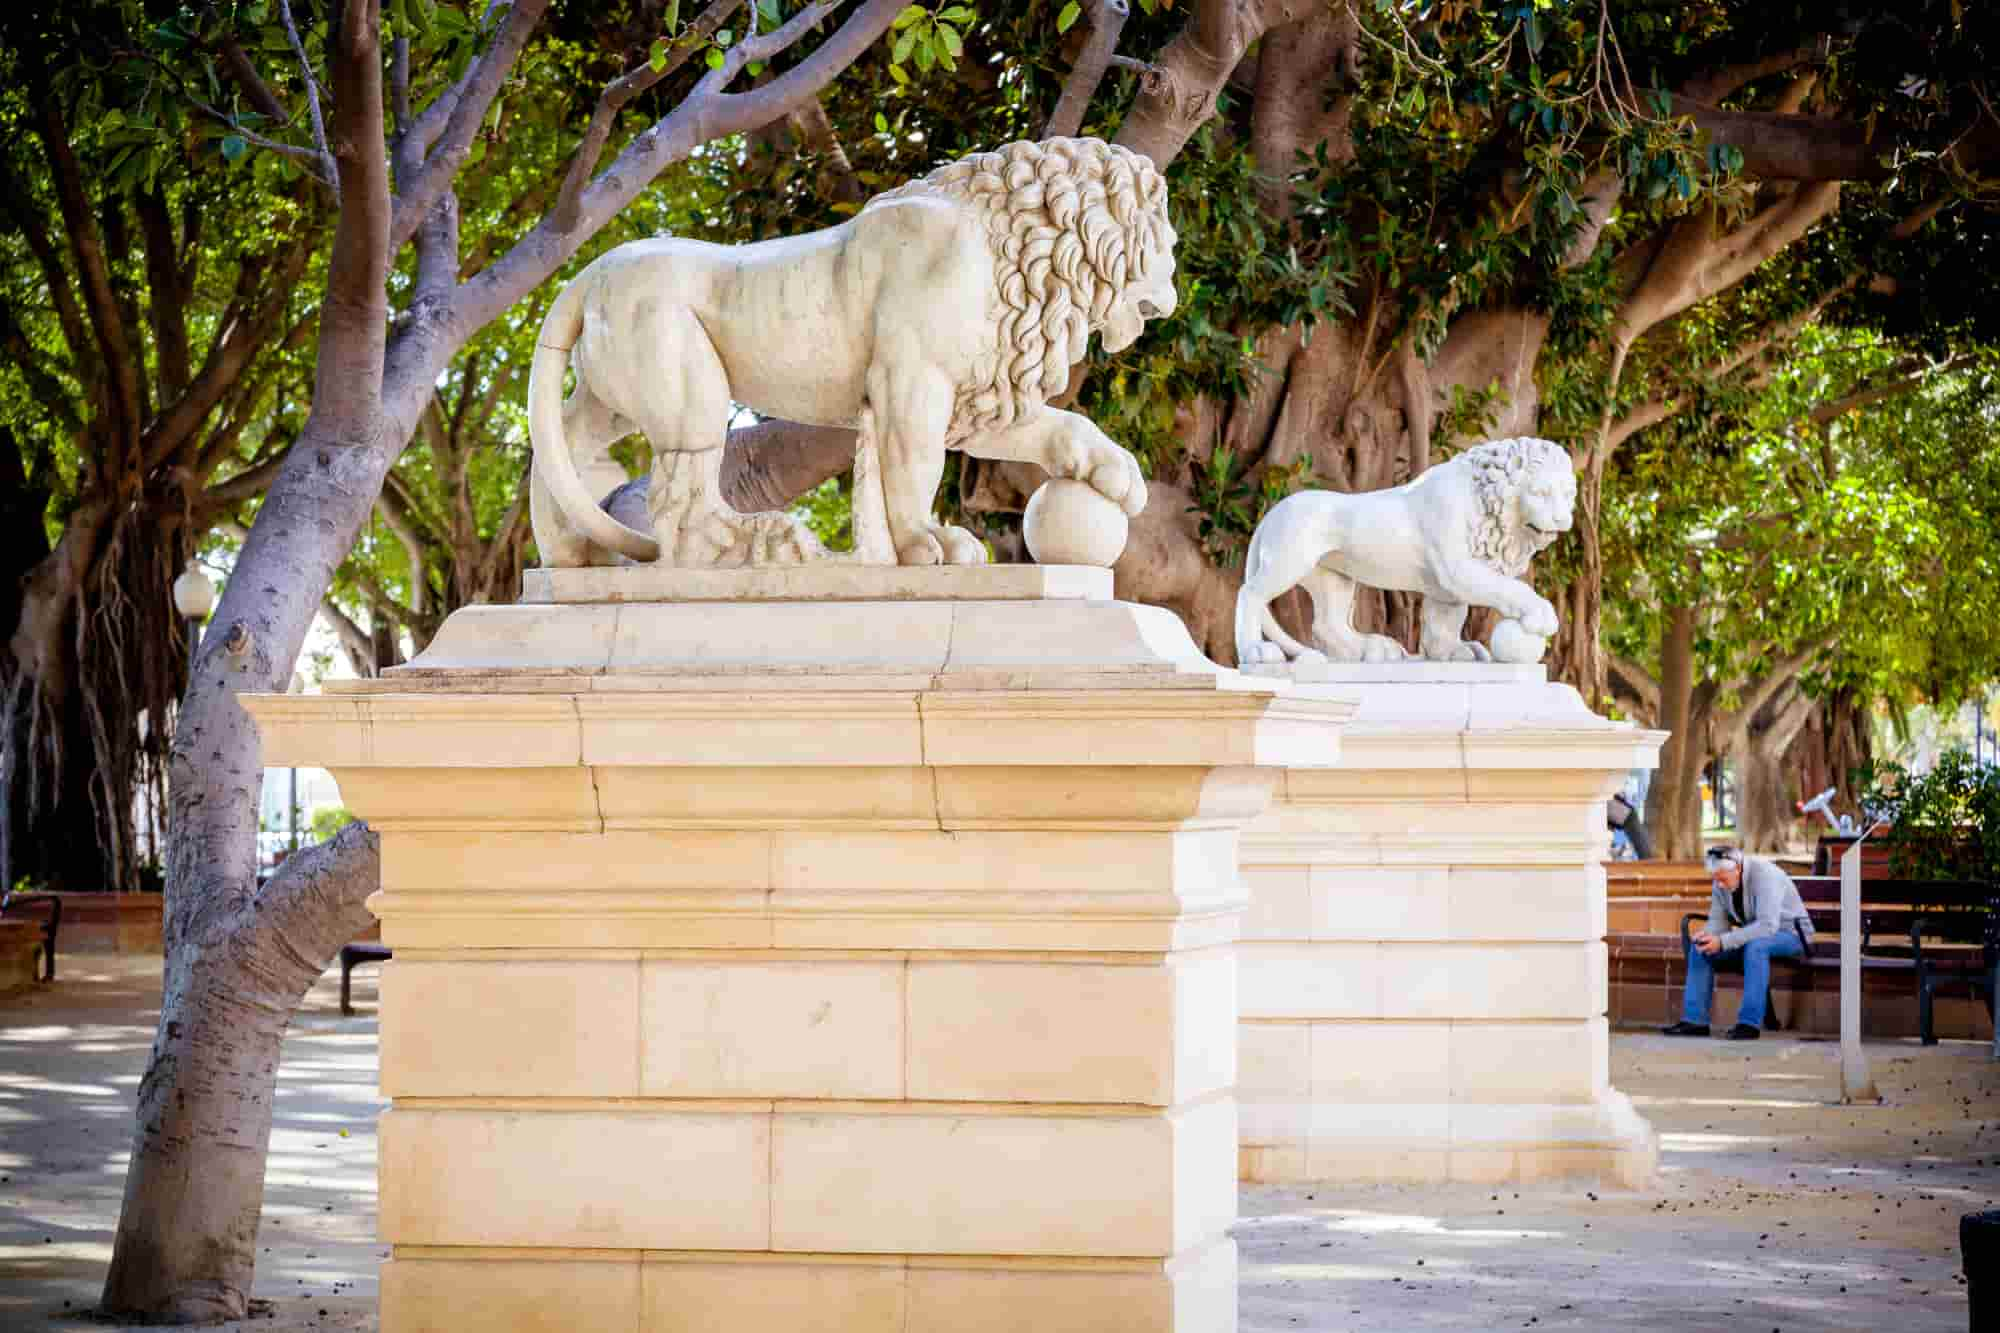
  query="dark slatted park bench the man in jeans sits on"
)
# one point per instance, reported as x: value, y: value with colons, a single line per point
x: 1939, y: 934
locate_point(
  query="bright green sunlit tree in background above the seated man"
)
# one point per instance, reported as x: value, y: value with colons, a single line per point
x: 1799, y: 551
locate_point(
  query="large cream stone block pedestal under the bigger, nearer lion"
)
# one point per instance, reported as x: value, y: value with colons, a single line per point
x: 857, y: 966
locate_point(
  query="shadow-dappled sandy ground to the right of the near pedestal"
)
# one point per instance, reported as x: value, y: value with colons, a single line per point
x: 1775, y: 1212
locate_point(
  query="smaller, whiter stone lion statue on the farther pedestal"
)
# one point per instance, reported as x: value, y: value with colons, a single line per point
x: 1461, y: 533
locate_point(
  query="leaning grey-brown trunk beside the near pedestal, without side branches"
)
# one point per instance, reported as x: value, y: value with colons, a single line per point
x: 241, y: 958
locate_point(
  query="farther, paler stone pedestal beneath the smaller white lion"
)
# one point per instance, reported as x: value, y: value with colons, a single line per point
x: 1423, y: 964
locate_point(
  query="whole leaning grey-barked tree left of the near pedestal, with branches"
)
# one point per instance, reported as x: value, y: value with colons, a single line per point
x: 387, y: 115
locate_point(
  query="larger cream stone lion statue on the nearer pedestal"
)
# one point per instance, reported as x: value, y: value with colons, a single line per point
x: 943, y: 315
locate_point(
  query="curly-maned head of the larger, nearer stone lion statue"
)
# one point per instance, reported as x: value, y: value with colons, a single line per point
x: 1081, y: 243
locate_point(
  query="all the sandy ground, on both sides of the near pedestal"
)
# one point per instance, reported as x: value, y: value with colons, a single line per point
x: 1775, y: 1210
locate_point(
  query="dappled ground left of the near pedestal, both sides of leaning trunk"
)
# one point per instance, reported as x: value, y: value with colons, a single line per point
x: 71, y: 1058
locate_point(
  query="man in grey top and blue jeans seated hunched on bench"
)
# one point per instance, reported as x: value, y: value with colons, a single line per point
x: 1755, y: 916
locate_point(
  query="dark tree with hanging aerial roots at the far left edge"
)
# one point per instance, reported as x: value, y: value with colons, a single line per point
x: 155, y: 311
